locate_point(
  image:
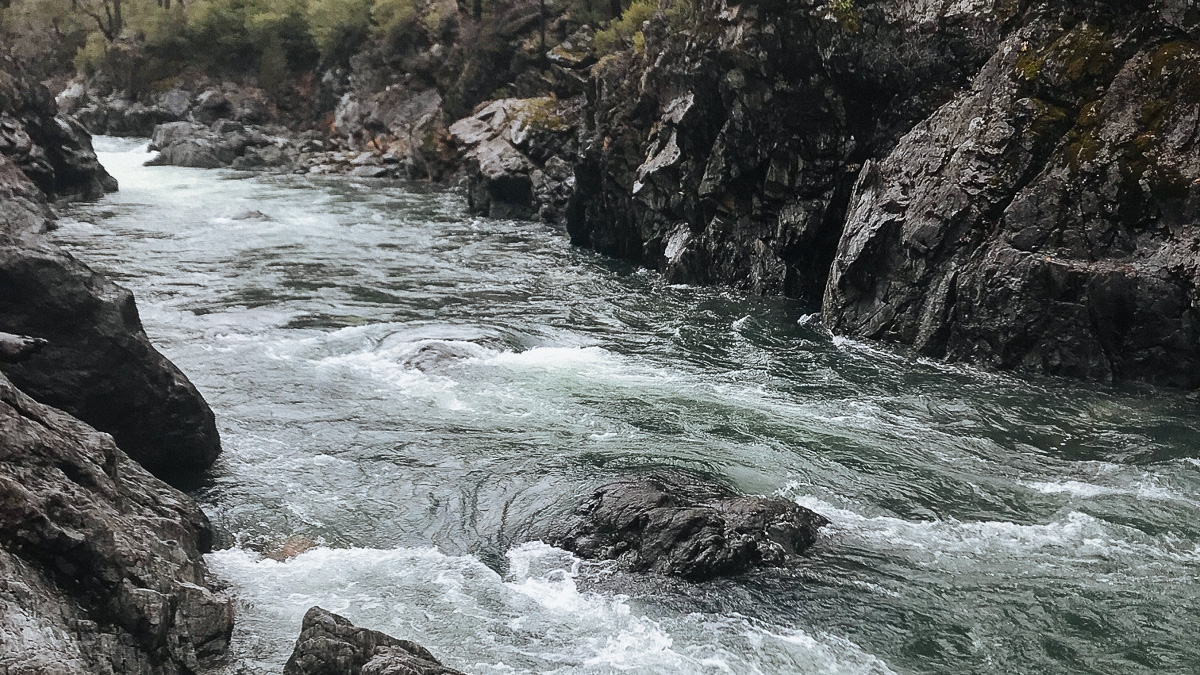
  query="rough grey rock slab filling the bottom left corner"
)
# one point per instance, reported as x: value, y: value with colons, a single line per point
x: 100, y: 563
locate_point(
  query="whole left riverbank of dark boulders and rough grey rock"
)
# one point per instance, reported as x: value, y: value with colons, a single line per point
x: 100, y: 561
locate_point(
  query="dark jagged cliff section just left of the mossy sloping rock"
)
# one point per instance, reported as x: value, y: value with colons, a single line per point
x: 724, y: 152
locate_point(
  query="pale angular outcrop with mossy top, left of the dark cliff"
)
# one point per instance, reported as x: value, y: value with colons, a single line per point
x: 514, y: 152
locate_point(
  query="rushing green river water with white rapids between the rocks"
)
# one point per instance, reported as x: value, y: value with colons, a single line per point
x: 409, y: 396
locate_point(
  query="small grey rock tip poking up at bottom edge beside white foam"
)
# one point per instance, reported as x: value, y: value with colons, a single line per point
x: 332, y: 646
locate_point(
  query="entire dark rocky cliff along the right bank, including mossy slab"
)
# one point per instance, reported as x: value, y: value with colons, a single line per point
x: 1003, y: 182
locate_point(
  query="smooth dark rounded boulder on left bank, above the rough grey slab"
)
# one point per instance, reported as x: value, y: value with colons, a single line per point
x: 98, y: 363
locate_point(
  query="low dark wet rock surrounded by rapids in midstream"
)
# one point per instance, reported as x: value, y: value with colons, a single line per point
x: 686, y: 528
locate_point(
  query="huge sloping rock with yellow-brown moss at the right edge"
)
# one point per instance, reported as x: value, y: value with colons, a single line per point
x: 1046, y: 220
